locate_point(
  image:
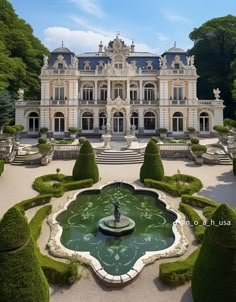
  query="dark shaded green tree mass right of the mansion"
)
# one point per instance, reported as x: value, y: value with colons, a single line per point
x: 214, y: 49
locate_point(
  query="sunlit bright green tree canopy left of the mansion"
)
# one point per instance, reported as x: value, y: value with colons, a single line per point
x: 20, y: 54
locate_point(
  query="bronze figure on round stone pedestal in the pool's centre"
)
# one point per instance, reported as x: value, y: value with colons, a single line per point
x: 118, y: 224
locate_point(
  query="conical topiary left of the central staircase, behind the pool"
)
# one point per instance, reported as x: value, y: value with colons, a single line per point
x: 85, y: 166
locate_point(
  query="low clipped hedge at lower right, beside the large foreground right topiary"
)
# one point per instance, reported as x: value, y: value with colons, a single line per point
x: 178, y: 272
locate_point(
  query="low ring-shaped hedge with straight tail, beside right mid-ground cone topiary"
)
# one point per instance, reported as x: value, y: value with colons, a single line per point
x: 173, y: 186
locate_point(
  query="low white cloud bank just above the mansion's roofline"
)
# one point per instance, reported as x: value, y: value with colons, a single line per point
x: 80, y: 41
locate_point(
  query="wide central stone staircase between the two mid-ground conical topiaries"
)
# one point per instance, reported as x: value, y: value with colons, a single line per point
x: 111, y: 157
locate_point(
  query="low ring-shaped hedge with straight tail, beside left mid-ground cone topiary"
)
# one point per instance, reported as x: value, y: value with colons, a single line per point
x: 63, y: 183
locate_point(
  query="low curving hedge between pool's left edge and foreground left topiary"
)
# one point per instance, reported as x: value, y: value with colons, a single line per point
x: 59, y: 273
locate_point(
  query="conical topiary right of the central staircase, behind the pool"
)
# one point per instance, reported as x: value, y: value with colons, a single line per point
x: 152, y: 166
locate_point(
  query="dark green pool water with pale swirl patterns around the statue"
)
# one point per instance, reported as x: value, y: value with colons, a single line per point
x: 117, y: 255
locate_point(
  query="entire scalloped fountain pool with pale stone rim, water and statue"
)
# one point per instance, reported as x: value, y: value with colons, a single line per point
x: 141, y: 230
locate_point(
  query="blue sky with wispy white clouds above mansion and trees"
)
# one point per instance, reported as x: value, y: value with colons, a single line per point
x: 153, y: 25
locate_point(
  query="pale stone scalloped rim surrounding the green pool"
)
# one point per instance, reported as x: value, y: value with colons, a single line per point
x: 178, y: 248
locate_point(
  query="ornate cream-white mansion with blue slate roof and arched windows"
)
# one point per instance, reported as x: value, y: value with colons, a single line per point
x: 118, y: 88
